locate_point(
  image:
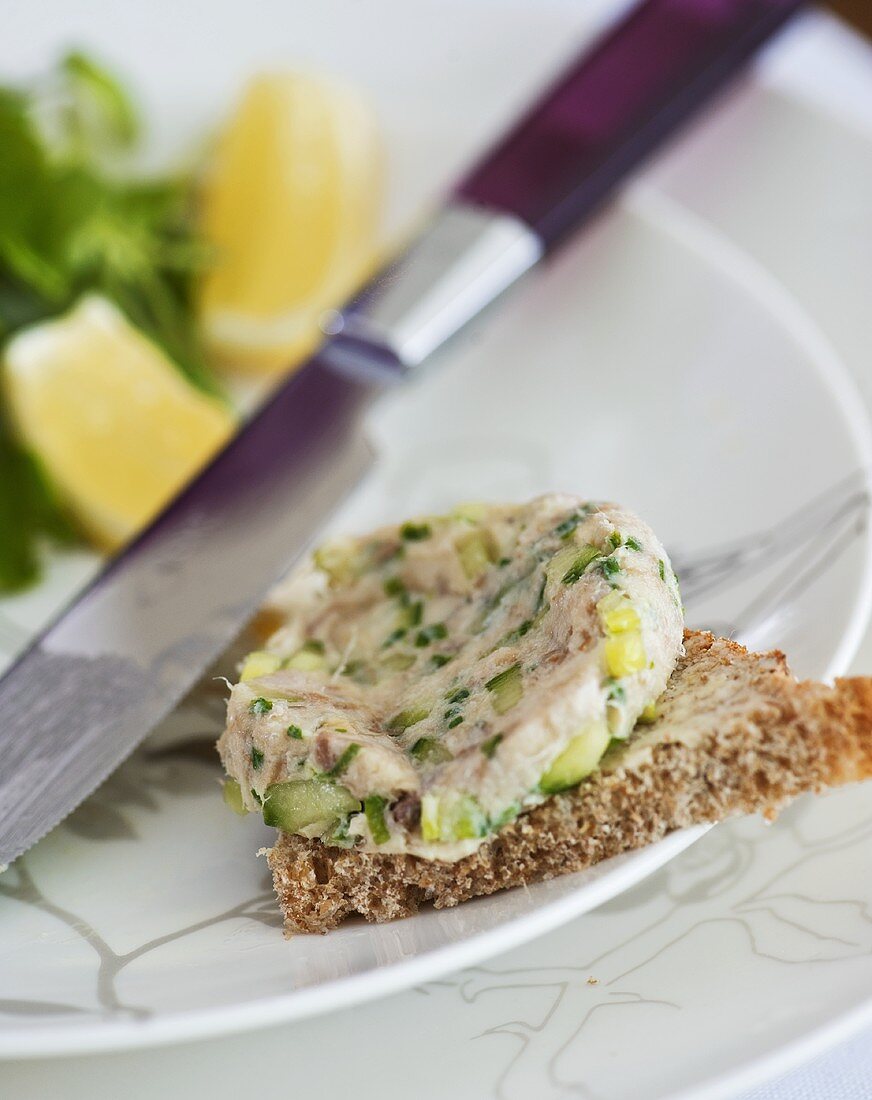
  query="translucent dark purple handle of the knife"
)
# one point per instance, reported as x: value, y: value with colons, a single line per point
x: 616, y: 105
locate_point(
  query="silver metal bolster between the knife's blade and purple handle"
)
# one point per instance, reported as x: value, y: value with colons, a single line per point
x: 466, y: 259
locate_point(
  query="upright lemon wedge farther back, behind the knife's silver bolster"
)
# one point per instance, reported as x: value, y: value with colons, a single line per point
x: 291, y: 208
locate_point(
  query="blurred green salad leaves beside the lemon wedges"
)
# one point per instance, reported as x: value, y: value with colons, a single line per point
x: 73, y: 221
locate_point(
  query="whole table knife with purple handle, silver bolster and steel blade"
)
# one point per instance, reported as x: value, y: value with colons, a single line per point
x: 126, y: 652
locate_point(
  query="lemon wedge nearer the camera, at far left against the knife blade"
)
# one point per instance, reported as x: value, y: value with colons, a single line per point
x: 117, y: 428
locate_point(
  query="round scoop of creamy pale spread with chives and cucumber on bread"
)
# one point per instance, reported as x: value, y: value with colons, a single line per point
x: 436, y: 679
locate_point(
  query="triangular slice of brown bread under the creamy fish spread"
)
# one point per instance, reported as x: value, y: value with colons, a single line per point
x: 736, y: 734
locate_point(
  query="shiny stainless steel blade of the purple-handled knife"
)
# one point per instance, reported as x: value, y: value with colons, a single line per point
x: 79, y: 702
